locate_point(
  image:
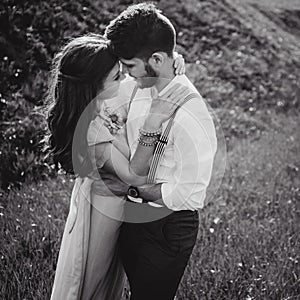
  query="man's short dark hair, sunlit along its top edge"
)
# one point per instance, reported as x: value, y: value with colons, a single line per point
x: 139, y: 31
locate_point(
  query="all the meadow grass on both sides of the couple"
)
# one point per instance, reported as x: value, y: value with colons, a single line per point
x: 248, y: 245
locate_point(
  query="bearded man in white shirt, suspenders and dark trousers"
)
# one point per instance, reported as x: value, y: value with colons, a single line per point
x: 157, y: 240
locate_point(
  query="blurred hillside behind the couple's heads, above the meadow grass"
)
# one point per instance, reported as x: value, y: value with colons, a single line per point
x: 244, y: 59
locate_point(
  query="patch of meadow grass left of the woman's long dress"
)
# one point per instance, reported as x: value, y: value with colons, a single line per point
x: 32, y: 220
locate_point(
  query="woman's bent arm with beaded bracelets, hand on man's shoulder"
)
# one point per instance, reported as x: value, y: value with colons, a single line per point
x: 134, y: 172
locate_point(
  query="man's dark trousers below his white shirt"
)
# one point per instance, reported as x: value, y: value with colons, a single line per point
x: 155, y: 254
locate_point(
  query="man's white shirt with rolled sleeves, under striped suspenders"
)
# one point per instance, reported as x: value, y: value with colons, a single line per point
x: 186, y: 166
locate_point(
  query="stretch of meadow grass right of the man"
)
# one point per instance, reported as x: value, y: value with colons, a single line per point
x: 248, y: 246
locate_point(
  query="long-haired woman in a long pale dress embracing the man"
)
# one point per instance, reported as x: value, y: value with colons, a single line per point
x: 86, y: 73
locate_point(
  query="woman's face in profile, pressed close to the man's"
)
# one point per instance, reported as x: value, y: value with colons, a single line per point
x: 112, y: 82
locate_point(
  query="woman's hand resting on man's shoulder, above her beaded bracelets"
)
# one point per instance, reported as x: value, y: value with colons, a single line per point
x: 165, y: 105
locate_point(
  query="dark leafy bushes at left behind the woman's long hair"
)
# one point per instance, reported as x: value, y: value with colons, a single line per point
x: 31, y: 32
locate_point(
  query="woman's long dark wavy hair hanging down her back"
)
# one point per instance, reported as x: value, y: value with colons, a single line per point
x: 78, y: 72
